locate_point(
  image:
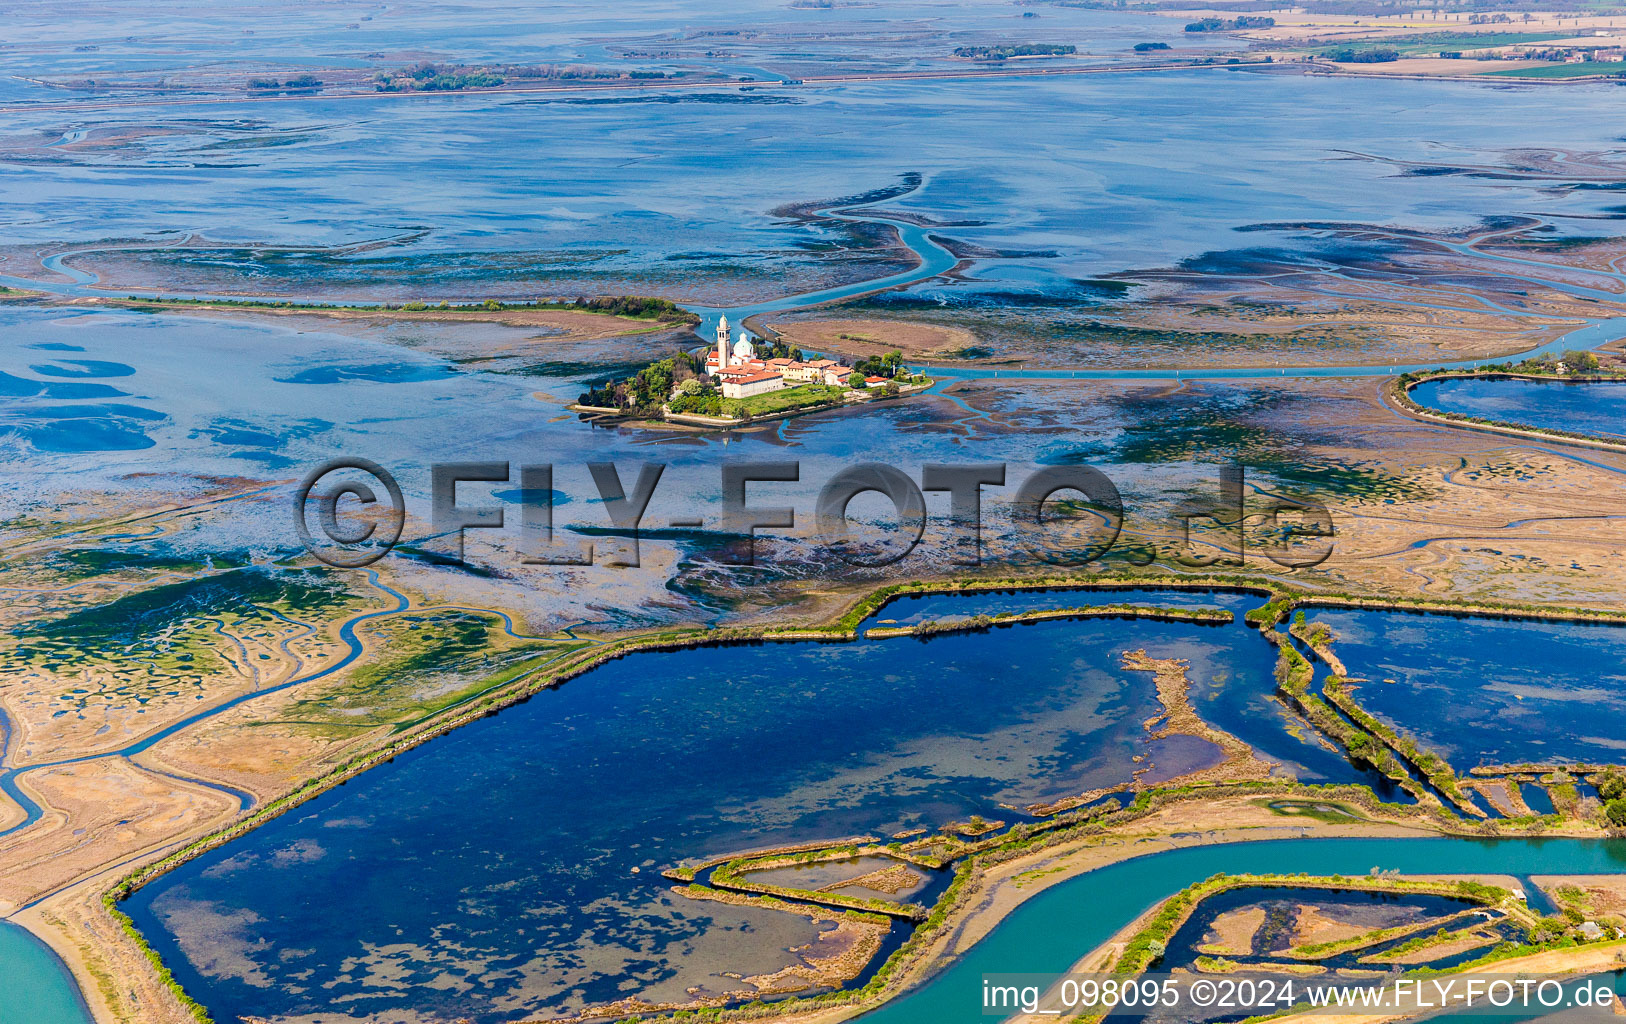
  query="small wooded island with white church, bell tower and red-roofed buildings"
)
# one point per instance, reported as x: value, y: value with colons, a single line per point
x: 747, y: 381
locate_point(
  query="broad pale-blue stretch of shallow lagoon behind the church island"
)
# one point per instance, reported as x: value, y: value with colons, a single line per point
x: 676, y: 194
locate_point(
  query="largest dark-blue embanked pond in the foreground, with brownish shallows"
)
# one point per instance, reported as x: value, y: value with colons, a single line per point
x: 513, y: 867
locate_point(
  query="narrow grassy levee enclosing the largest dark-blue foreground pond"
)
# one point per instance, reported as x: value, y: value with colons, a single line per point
x: 968, y: 857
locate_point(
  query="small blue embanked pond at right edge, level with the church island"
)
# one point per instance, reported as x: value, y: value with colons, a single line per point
x: 1596, y: 407
